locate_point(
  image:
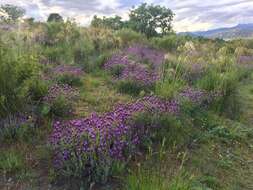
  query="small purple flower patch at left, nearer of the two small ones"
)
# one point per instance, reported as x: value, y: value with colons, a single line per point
x: 57, y: 90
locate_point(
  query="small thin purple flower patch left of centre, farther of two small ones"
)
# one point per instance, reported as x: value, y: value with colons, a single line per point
x: 68, y: 69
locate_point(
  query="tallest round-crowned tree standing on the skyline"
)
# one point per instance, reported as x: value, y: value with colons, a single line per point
x: 151, y: 20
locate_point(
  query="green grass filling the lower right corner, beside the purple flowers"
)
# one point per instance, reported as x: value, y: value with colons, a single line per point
x: 219, y: 155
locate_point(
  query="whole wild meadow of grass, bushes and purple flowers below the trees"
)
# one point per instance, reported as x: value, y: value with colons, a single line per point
x: 114, y: 109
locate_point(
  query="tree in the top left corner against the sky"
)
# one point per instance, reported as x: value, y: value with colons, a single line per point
x: 14, y: 12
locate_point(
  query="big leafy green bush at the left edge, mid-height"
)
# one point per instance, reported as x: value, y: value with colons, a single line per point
x: 15, y: 70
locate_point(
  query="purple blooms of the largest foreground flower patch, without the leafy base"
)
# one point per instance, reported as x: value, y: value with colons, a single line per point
x: 110, y: 135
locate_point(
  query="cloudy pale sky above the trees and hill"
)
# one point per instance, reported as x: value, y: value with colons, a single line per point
x: 191, y: 15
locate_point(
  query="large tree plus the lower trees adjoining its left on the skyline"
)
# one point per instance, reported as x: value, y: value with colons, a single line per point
x: 150, y: 20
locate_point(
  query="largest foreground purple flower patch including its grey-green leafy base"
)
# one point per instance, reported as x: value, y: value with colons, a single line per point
x: 100, y: 140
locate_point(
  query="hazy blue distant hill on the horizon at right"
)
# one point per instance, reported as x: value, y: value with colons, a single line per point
x: 239, y: 31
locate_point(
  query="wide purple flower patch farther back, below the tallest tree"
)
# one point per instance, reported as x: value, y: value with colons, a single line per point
x: 133, y: 68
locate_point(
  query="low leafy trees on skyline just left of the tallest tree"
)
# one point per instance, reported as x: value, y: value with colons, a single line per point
x: 114, y: 23
